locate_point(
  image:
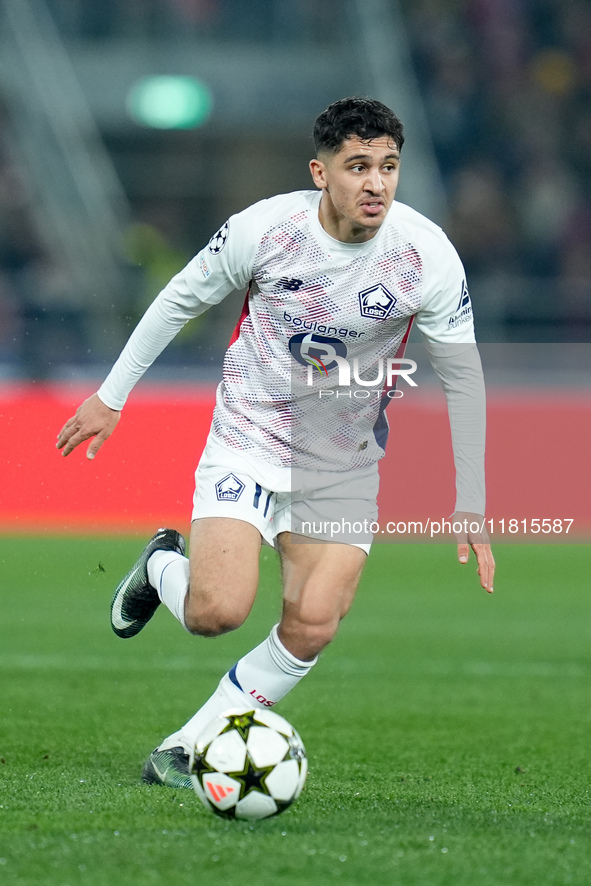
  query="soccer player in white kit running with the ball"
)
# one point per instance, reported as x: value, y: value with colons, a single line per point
x: 335, y: 274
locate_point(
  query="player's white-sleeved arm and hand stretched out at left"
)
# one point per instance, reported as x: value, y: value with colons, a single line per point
x: 220, y: 268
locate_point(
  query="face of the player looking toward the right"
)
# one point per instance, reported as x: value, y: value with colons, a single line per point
x: 358, y: 184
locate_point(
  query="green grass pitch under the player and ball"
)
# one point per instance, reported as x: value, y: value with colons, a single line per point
x: 448, y: 732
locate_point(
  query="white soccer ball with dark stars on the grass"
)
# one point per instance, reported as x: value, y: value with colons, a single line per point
x: 248, y: 763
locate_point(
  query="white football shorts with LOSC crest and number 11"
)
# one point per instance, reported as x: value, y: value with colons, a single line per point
x: 318, y: 506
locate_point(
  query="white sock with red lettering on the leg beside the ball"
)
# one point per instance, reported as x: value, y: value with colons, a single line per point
x: 263, y: 677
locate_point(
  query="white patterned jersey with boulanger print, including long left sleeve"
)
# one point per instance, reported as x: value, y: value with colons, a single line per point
x: 311, y: 300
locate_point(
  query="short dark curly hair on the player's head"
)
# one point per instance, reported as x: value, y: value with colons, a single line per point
x: 366, y: 118
